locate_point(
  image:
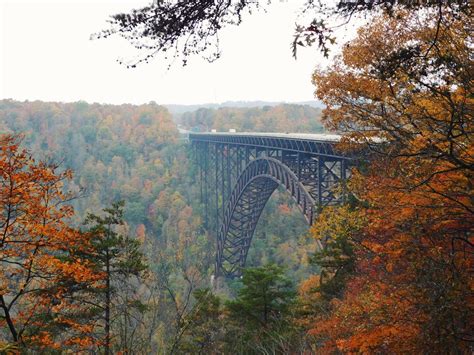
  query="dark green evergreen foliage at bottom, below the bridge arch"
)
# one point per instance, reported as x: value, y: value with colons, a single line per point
x: 259, y: 319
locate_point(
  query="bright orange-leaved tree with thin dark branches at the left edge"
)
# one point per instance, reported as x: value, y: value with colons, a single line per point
x: 39, y: 266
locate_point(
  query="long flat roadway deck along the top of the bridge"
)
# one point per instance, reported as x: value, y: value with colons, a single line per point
x: 321, y: 144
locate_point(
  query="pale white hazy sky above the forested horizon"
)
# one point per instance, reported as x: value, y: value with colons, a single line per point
x: 46, y: 54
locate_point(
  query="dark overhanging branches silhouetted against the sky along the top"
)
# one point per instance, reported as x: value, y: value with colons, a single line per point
x: 190, y: 28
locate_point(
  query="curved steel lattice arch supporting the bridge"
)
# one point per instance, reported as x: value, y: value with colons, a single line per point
x: 251, y: 192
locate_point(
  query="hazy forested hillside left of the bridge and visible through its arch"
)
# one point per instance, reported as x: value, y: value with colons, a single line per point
x: 134, y: 154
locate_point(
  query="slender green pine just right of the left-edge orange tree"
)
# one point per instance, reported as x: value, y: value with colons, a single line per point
x: 119, y: 258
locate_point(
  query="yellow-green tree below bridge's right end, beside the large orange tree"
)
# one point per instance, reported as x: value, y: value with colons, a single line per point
x: 339, y: 230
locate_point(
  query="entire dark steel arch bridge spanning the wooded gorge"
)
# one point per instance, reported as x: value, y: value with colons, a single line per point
x: 238, y: 173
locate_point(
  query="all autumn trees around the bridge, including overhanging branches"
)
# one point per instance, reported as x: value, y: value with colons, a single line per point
x: 103, y: 245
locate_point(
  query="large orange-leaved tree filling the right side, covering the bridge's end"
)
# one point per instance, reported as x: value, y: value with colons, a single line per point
x: 403, y: 90
